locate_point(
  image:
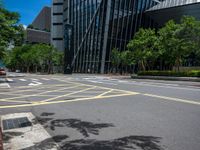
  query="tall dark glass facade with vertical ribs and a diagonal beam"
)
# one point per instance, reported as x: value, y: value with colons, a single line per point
x: 98, y: 26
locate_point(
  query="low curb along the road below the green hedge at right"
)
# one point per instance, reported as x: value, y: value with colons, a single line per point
x: 192, y: 79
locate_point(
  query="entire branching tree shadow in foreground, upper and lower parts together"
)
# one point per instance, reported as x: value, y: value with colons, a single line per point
x: 86, y: 128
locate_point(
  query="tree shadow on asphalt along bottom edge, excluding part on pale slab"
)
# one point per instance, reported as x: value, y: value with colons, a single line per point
x: 125, y: 143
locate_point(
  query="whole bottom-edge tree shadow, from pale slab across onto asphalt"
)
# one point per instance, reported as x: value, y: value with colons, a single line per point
x: 124, y: 143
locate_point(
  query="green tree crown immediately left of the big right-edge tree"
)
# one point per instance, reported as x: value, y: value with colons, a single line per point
x: 144, y: 47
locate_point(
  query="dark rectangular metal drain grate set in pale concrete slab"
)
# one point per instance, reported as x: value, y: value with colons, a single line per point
x: 16, y: 123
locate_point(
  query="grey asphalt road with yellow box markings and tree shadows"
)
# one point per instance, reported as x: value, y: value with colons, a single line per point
x: 94, y: 112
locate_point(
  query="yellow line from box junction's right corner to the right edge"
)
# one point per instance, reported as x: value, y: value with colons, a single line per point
x: 173, y: 99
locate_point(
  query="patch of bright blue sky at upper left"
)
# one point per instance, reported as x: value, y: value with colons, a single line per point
x: 28, y: 9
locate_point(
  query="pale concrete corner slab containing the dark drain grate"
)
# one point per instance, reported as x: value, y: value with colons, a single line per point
x: 23, y: 131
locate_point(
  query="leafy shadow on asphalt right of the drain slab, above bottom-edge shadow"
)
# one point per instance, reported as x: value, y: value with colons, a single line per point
x: 85, y: 128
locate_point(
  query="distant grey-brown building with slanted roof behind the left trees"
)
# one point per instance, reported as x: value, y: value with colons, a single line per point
x: 41, y: 28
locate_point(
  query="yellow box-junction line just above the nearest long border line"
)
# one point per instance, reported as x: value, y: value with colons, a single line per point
x: 24, y: 96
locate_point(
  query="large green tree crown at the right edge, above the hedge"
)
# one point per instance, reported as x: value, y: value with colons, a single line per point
x: 178, y: 41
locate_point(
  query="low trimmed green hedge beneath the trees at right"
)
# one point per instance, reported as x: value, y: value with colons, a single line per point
x: 193, y: 73
